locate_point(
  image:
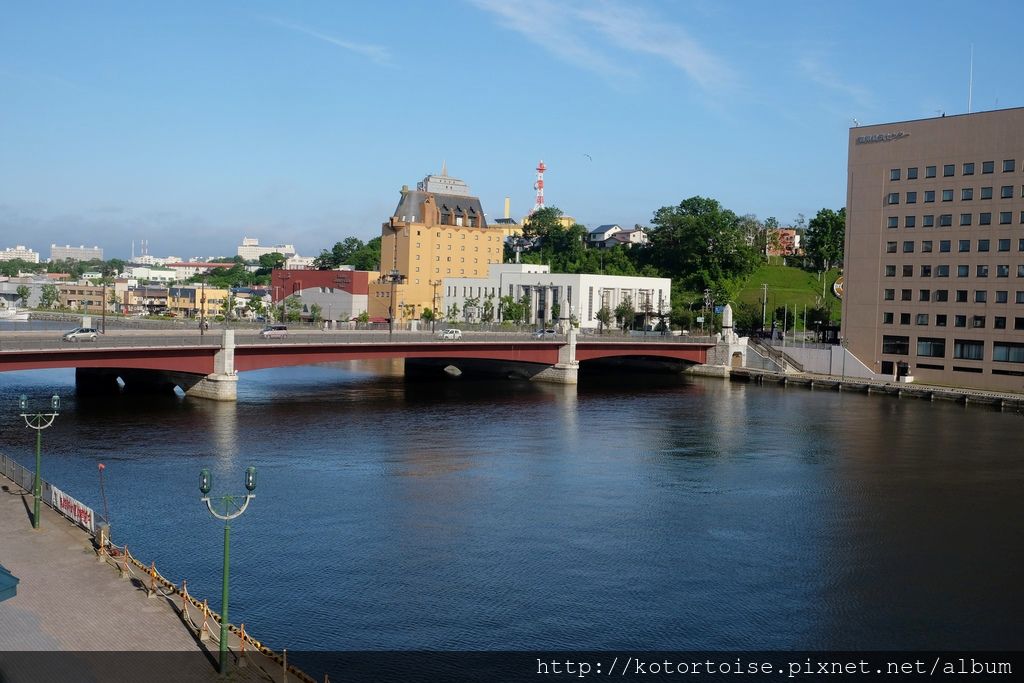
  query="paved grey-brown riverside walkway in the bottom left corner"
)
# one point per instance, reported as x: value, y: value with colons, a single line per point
x: 68, y: 602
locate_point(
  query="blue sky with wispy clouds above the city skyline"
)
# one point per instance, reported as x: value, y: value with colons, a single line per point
x: 194, y: 124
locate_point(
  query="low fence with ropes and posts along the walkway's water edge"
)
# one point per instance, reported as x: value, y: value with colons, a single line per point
x: 149, y: 578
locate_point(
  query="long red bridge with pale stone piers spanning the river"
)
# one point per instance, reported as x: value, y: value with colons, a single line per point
x: 208, y: 366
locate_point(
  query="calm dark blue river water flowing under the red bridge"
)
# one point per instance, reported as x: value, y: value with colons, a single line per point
x: 648, y: 514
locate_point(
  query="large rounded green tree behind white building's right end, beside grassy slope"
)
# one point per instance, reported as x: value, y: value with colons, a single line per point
x: 702, y: 244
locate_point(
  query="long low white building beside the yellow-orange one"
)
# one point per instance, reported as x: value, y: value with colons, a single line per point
x: 578, y: 296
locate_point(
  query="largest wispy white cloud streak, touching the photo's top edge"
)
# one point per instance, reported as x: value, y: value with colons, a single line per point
x: 587, y: 34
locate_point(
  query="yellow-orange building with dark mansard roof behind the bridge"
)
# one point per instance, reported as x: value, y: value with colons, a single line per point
x: 439, y: 231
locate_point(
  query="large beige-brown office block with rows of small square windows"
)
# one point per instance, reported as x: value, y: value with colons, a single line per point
x: 934, y: 271
